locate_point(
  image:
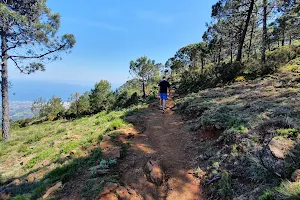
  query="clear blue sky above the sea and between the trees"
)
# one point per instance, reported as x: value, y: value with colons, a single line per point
x: 111, y: 33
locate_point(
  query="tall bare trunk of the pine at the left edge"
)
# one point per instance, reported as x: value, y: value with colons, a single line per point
x: 4, y: 90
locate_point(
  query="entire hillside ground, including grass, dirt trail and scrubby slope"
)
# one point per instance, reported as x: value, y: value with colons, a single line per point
x: 240, y: 141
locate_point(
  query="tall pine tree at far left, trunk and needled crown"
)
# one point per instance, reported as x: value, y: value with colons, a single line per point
x: 28, y: 38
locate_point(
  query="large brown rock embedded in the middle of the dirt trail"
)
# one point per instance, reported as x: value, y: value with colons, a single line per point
x: 155, y: 172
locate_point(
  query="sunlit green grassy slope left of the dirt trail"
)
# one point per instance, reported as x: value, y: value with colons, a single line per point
x: 40, y: 155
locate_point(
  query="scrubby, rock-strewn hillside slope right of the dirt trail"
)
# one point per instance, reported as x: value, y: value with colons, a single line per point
x: 250, y: 135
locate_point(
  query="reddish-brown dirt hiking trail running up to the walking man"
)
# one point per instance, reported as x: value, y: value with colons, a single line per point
x: 161, y: 139
